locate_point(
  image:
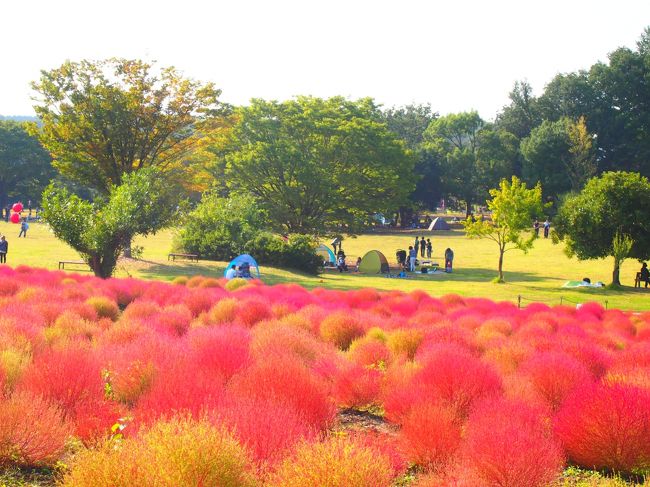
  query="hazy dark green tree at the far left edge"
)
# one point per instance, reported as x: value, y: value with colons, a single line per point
x: 25, y: 167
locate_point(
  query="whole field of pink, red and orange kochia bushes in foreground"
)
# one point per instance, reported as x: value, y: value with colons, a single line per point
x: 211, y: 383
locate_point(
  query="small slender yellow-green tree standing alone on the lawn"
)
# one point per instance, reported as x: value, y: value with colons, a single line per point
x: 513, y: 207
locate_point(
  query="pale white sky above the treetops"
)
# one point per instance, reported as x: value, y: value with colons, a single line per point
x: 457, y: 55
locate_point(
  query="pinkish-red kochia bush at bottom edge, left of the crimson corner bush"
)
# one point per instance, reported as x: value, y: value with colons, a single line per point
x: 509, y: 444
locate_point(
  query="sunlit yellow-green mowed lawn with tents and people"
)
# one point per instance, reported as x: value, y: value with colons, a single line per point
x: 536, y: 276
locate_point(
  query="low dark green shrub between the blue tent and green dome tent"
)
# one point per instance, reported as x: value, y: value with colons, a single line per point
x: 298, y: 252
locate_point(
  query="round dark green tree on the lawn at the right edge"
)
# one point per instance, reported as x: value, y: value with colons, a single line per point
x: 616, y: 203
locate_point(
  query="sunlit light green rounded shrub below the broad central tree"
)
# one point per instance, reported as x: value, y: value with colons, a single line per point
x: 220, y: 227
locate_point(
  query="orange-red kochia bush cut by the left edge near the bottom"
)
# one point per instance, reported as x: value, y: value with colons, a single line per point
x: 32, y: 431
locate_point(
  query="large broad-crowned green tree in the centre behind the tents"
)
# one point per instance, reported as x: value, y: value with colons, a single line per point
x: 318, y: 165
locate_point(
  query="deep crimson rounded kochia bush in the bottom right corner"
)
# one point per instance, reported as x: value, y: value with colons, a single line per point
x: 606, y: 426
